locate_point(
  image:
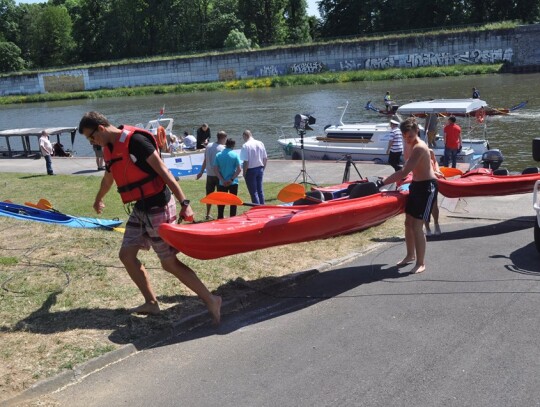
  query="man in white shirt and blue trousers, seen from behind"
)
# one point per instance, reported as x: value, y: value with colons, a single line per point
x: 254, y: 158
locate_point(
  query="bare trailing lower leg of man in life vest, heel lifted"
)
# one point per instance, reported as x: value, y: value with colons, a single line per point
x: 187, y: 276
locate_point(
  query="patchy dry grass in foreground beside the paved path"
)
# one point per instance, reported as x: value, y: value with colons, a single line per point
x: 64, y: 291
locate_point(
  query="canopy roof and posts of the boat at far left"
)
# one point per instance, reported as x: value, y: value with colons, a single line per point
x: 28, y: 134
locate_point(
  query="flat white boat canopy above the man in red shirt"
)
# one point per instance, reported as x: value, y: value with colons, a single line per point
x: 455, y: 106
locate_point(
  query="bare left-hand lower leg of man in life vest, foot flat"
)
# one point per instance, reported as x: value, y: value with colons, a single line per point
x: 139, y: 275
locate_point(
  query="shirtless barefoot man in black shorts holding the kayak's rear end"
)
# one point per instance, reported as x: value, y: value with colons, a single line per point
x: 422, y: 194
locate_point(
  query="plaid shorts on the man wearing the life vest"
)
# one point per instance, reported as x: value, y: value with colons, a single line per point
x: 141, y: 229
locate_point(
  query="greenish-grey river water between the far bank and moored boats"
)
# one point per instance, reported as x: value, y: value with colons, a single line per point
x: 265, y: 111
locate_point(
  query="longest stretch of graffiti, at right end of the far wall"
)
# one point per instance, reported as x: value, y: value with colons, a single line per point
x: 440, y: 59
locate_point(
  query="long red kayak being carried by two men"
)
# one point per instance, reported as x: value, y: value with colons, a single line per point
x: 267, y: 226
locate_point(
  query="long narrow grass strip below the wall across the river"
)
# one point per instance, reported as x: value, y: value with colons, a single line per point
x: 269, y: 82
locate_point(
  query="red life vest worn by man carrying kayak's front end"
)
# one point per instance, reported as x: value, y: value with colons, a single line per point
x: 133, y: 183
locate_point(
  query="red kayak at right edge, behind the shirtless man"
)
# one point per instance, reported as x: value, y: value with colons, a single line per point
x: 482, y: 182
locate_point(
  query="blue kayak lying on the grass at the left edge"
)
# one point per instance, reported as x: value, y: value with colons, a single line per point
x: 39, y: 215
